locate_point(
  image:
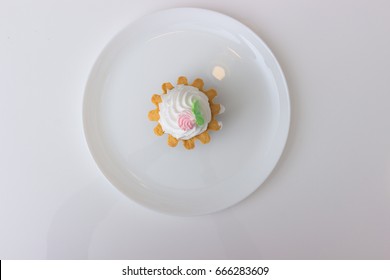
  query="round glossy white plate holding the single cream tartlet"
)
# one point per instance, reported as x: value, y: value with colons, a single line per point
x: 159, y: 48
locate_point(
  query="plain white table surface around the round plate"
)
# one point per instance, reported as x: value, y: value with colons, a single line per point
x: 328, y: 197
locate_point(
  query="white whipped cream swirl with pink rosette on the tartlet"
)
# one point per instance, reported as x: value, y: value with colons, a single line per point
x: 176, y: 117
